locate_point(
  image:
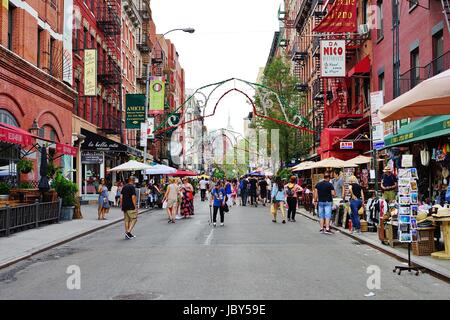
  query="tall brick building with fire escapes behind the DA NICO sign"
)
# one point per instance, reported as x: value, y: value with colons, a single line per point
x: 338, y: 109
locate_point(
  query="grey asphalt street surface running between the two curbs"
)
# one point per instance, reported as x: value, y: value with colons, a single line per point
x: 250, y: 258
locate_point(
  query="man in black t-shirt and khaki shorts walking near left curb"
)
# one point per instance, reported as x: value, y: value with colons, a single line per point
x: 128, y: 201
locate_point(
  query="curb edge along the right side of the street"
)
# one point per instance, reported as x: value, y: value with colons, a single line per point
x: 398, y: 255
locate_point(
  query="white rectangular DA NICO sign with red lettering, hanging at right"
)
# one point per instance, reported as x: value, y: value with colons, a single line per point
x: 332, y: 58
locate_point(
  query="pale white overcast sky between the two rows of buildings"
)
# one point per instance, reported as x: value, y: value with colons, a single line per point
x: 232, y: 40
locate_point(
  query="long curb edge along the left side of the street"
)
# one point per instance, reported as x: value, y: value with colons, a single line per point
x: 59, y: 242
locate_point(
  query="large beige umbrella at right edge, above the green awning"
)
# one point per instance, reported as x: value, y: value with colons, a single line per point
x: 429, y: 98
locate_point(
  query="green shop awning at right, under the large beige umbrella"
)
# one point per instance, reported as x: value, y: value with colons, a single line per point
x: 422, y: 129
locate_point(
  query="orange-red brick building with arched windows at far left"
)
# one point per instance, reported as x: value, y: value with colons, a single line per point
x: 33, y: 65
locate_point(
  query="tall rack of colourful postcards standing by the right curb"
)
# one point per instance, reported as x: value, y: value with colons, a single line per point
x: 408, y: 200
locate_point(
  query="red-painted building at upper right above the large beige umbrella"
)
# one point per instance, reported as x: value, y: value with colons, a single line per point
x: 421, y: 51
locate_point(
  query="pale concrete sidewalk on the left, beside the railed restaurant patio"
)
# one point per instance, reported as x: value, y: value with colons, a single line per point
x: 22, y: 245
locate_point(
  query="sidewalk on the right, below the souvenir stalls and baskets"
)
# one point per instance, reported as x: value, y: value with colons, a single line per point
x: 439, y: 267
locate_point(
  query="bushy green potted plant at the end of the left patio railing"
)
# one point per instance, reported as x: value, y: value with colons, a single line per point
x: 66, y: 190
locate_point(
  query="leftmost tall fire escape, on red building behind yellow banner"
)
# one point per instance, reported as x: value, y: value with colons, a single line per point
x: 109, y: 72
